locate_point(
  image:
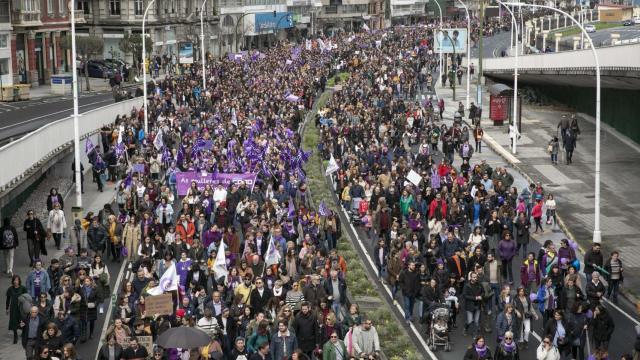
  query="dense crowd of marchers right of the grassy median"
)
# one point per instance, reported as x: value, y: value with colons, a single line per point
x: 444, y: 231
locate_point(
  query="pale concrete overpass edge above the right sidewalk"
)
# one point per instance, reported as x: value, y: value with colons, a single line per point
x: 619, y: 65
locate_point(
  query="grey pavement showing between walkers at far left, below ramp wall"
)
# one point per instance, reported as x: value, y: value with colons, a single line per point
x: 92, y: 201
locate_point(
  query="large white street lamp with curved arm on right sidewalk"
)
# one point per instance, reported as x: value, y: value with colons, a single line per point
x: 597, y: 233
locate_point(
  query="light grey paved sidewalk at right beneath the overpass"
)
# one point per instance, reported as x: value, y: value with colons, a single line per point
x: 573, y: 185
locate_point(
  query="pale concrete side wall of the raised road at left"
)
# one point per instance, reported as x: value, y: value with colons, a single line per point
x: 28, y: 152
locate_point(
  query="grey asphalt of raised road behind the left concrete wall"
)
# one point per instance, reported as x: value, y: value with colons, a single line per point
x: 19, y: 118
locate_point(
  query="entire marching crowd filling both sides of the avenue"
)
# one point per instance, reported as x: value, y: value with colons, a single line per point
x: 255, y: 262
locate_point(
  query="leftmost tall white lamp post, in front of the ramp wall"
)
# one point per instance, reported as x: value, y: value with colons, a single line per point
x: 76, y: 125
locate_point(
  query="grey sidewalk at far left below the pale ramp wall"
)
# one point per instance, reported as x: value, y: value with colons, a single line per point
x: 92, y: 201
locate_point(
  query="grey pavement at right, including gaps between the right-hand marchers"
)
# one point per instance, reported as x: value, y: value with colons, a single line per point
x: 573, y: 187
